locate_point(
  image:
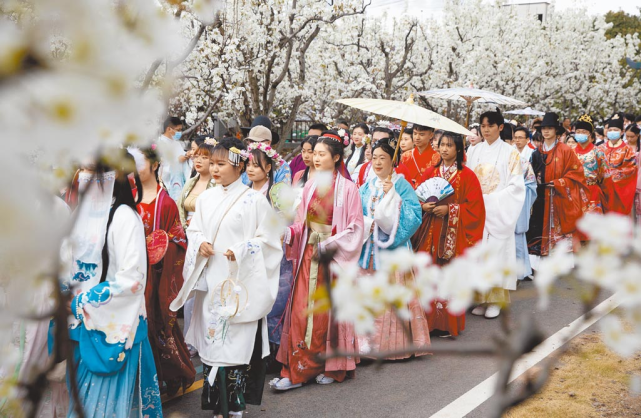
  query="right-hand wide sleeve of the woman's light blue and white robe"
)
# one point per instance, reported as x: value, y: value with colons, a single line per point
x: 397, y: 216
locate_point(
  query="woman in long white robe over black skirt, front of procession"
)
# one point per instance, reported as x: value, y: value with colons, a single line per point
x: 232, y: 270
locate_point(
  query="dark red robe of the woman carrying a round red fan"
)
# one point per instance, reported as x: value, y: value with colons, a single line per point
x: 164, y: 281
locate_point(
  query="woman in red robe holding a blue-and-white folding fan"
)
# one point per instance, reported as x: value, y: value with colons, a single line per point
x: 453, y: 219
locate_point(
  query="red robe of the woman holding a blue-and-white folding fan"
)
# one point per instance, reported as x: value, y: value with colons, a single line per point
x: 446, y: 238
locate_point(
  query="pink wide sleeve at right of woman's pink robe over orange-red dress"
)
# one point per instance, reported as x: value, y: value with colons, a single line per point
x: 348, y: 239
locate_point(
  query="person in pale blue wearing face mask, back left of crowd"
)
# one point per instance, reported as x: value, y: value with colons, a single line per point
x: 173, y: 173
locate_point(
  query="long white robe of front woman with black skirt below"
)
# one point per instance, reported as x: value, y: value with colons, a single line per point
x: 249, y: 230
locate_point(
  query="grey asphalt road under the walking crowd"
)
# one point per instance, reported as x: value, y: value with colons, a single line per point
x: 411, y: 388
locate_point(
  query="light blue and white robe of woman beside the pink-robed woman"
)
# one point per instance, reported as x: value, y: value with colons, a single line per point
x: 403, y: 213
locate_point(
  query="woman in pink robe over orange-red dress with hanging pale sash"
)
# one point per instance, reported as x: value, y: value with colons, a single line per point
x: 329, y: 218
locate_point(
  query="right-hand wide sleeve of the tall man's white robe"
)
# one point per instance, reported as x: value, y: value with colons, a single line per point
x: 504, y: 206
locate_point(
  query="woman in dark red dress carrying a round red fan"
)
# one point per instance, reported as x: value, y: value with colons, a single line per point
x: 166, y: 245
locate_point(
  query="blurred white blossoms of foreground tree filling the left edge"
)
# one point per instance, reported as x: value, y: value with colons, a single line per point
x: 74, y: 79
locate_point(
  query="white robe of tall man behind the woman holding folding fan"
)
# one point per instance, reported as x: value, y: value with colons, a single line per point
x: 498, y: 168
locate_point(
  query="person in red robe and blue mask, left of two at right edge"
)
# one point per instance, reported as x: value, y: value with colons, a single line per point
x: 595, y: 166
